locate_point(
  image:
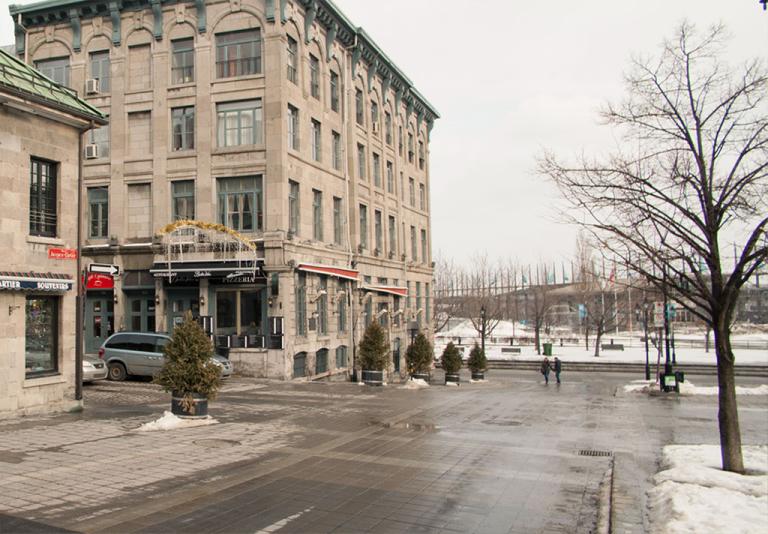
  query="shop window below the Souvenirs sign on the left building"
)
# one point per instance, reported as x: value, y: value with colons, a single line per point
x: 41, y: 335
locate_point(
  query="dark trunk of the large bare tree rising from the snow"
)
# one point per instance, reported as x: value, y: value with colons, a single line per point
x: 728, y: 415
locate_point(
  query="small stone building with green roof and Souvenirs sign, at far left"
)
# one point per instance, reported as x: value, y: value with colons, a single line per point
x: 41, y: 124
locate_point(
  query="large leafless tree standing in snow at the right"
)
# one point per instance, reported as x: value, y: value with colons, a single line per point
x: 700, y: 170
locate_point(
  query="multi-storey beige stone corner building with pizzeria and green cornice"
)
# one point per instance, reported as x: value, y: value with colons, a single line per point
x: 289, y: 150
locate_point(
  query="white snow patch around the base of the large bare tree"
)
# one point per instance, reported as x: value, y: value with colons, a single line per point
x: 694, y: 495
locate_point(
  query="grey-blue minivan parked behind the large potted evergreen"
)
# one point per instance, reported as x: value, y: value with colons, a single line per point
x: 141, y: 354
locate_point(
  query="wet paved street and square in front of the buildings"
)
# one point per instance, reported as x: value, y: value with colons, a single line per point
x: 503, y: 456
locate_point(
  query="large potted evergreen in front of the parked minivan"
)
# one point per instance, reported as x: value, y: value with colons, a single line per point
x: 188, y: 371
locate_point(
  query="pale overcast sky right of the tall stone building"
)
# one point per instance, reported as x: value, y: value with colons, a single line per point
x: 511, y: 78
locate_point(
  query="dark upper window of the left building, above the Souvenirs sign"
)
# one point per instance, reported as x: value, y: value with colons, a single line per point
x: 43, y: 198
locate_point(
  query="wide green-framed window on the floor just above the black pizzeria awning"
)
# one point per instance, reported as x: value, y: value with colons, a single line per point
x: 240, y: 203
